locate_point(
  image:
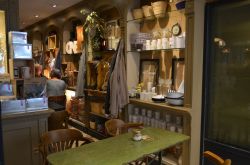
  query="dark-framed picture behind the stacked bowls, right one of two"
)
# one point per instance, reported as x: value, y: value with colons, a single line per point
x: 178, y: 69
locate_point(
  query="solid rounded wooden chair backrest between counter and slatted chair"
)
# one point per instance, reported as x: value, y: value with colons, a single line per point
x: 58, y: 120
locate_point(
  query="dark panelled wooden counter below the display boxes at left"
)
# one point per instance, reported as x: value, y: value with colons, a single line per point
x: 21, y: 136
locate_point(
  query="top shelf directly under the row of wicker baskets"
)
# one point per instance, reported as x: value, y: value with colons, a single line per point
x: 155, y: 17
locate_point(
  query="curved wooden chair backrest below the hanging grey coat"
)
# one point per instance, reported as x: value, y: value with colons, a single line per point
x: 113, y: 126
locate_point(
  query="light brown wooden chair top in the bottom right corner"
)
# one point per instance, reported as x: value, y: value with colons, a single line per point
x: 217, y: 160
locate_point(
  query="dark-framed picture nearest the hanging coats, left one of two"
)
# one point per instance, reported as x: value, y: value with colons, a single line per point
x: 149, y: 72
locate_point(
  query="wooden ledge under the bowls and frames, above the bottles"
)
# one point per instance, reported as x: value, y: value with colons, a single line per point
x: 161, y: 106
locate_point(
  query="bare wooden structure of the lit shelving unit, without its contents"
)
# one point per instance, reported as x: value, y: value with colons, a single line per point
x: 158, y: 23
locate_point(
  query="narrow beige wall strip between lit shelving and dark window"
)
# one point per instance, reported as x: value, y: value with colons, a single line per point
x: 197, y: 81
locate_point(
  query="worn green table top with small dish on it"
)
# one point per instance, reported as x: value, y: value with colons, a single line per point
x: 118, y: 150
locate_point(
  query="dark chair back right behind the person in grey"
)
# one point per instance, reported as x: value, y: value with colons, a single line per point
x: 57, y: 103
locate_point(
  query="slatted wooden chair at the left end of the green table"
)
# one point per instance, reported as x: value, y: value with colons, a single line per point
x: 60, y: 140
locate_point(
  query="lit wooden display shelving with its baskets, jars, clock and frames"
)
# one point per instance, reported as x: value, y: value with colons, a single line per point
x: 159, y: 58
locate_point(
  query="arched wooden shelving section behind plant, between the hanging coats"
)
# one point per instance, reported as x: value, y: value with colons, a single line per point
x: 101, y: 51
